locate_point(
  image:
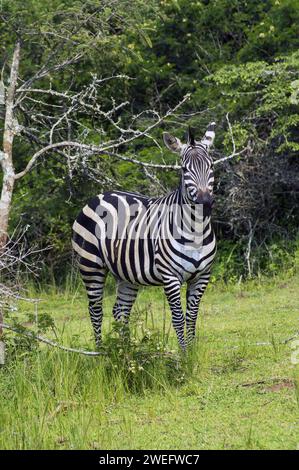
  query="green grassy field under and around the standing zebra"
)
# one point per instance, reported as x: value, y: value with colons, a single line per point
x: 231, y: 392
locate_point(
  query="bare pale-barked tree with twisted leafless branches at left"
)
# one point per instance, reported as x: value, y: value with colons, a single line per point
x: 51, y: 124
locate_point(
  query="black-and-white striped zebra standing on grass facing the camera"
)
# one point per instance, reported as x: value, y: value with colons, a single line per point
x: 133, y: 237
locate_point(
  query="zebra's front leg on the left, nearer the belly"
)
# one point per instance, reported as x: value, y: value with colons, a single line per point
x: 172, y: 288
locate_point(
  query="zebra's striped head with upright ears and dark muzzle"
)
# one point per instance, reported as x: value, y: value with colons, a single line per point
x: 197, y: 166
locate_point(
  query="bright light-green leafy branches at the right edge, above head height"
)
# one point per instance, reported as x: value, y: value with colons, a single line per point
x: 261, y: 98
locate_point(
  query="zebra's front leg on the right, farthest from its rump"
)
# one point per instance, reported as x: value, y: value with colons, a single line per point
x: 195, y: 290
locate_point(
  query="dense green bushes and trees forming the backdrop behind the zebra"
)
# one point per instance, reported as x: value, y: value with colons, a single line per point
x: 240, y: 62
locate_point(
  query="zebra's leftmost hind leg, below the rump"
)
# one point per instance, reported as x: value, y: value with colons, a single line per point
x: 94, y: 280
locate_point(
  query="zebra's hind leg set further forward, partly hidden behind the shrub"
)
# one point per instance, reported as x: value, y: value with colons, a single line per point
x: 125, y: 298
